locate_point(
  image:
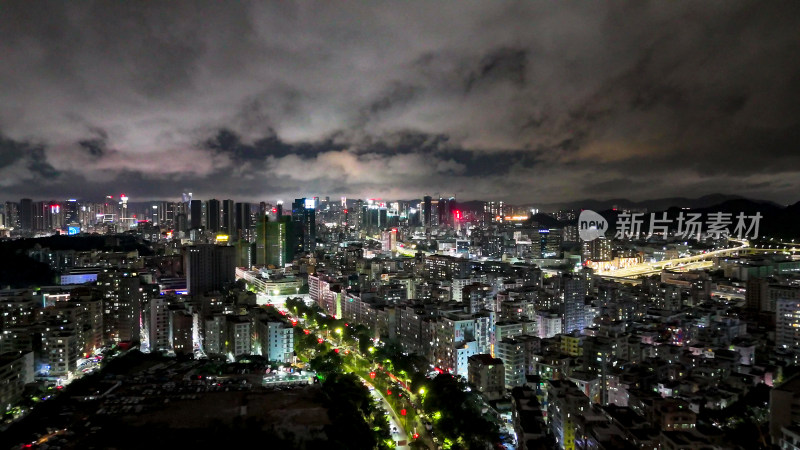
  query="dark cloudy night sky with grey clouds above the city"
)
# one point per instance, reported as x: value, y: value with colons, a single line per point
x: 521, y: 101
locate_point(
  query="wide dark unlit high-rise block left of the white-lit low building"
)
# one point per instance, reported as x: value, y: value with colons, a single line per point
x: 209, y: 267
